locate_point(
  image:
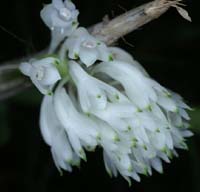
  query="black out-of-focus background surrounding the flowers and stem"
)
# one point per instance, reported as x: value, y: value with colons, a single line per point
x: 169, y: 48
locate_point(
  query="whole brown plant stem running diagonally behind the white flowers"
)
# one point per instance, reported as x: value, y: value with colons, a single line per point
x: 107, y: 31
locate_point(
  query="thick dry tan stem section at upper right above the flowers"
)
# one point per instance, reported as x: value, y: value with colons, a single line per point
x: 111, y: 31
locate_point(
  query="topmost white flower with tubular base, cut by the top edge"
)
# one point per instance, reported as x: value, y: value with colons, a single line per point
x: 61, y: 18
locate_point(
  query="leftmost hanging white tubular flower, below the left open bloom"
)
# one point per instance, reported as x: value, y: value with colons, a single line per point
x: 56, y: 137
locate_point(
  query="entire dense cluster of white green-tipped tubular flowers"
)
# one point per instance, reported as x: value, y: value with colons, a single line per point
x: 103, y: 97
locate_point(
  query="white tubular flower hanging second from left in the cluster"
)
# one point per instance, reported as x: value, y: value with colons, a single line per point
x: 82, y: 131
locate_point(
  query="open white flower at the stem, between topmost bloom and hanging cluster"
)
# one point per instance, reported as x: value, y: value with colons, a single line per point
x: 84, y: 46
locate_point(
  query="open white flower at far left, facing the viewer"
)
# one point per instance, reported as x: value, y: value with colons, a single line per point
x: 43, y: 73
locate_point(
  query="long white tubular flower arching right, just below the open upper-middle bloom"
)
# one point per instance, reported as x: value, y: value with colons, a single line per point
x: 133, y: 81
